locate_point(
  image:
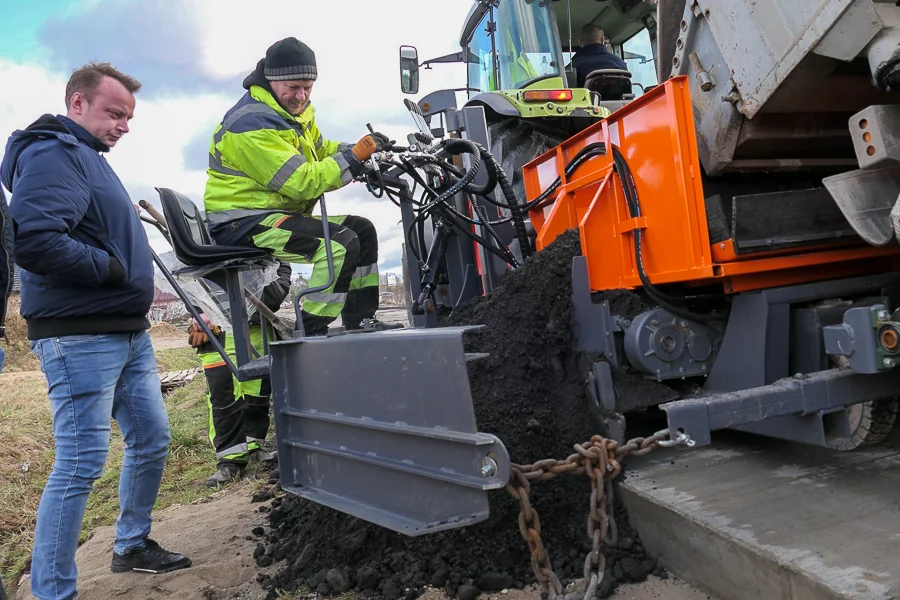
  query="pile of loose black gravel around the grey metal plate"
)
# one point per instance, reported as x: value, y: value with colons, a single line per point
x: 529, y: 393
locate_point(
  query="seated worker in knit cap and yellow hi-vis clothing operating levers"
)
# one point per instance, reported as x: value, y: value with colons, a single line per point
x: 268, y: 166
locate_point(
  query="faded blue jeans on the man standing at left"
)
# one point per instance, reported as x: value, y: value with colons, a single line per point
x: 93, y: 379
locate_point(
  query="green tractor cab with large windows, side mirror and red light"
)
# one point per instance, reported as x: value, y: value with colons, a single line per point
x: 514, y: 46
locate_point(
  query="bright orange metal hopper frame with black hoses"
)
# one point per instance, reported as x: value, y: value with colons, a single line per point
x: 655, y: 134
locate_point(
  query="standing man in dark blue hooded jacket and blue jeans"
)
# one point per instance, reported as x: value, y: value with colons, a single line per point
x: 86, y: 287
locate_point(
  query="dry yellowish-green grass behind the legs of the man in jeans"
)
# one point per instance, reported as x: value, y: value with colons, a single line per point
x: 26, y: 435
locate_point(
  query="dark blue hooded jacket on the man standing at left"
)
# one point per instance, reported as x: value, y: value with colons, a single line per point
x: 85, y: 259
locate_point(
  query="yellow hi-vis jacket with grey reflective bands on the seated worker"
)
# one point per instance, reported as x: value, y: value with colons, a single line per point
x: 263, y: 159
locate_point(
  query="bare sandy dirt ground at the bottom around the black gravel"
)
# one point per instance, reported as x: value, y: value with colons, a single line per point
x: 217, y: 535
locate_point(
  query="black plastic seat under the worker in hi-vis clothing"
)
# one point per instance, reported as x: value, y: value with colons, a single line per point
x: 191, y: 240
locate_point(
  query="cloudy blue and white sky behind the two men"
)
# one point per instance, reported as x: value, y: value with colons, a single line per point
x: 191, y: 56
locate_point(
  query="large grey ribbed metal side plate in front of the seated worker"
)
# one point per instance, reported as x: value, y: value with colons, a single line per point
x: 381, y: 426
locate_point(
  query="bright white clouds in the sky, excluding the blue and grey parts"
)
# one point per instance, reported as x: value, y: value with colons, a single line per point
x: 356, y: 44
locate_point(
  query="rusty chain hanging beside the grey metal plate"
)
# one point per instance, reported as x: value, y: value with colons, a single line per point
x: 600, y: 460
